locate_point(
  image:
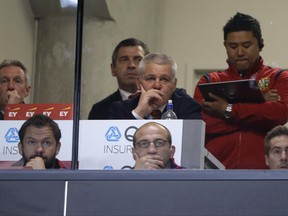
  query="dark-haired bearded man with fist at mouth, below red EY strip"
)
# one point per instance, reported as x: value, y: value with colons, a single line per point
x: 39, y: 143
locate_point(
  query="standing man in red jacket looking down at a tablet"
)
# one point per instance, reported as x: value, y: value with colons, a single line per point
x: 235, y: 132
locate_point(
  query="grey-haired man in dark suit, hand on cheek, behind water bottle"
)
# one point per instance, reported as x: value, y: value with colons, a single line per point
x: 157, y: 83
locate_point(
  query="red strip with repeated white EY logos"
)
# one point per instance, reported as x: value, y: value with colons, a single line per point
x: 25, y: 111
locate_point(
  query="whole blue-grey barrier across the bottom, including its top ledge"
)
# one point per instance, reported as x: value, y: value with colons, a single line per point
x: 139, y: 193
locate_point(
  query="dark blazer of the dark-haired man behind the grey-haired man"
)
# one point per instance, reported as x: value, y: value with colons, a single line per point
x: 100, y: 110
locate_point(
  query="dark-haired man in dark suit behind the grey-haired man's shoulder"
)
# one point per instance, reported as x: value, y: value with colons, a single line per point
x: 125, y: 59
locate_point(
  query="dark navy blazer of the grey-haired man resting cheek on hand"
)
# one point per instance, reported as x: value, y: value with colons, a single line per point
x: 184, y: 106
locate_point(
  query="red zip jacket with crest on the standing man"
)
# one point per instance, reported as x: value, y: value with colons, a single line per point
x: 239, y: 143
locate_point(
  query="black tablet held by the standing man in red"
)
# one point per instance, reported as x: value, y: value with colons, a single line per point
x: 237, y: 91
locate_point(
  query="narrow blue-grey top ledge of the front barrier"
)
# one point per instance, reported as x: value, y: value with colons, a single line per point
x: 143, y: 175
